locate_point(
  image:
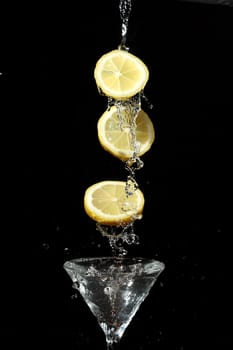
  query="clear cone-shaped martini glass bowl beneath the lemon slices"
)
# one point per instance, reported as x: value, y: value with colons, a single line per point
x: 113, y: 288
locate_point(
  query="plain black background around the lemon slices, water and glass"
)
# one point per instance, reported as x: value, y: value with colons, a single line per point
x: 186, y: 177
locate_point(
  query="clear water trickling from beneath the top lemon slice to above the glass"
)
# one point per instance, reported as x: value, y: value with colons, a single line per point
x: 127, y: 111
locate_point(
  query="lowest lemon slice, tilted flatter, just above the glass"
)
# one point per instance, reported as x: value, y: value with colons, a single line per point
x: 106, y: 203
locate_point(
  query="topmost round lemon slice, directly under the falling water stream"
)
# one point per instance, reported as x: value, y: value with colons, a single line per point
x: 120, y: 74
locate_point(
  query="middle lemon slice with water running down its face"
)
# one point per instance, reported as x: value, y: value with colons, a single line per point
x: 116, y: 137
